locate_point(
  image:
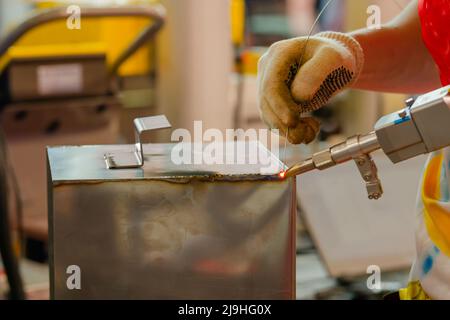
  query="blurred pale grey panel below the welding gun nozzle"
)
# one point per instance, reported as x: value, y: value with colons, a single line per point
x: 353, y: 232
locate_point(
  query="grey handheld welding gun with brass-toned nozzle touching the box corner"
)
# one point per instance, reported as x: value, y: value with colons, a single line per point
x: 421, y: 127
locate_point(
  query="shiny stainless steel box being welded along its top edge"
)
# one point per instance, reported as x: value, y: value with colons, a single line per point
x: 167, y: 231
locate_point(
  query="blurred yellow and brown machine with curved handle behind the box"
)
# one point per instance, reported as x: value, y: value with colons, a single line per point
x: 63, y: 88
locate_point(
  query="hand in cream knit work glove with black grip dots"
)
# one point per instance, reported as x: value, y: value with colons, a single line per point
x: 292, y: 81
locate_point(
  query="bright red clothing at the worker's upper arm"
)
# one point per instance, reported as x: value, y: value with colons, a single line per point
x: 435, y: 19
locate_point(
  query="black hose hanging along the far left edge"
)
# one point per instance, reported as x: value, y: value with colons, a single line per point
x: 10, y: 262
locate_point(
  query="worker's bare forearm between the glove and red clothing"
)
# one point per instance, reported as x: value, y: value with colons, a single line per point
x: 396, y: 59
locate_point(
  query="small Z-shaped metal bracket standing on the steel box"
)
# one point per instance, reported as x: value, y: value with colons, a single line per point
x: 135, y: 159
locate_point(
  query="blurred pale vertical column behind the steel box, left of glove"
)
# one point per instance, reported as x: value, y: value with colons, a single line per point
x: 195, y: 63
